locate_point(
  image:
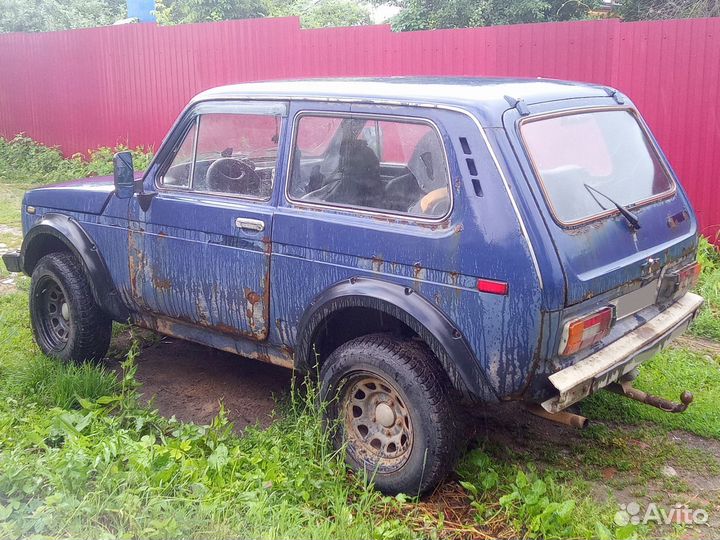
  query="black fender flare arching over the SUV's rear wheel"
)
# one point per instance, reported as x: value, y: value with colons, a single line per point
x: 405, y: 304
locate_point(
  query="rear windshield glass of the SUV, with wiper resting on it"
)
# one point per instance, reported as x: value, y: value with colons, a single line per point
x: 583, y: 158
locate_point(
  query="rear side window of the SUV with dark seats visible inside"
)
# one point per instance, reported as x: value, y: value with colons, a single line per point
x: 393, y: 166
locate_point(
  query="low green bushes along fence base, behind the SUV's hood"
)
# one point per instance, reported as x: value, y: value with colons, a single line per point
x: 24, y: 161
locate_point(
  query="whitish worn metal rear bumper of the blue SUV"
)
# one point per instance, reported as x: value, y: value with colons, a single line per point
x: 622, y: 356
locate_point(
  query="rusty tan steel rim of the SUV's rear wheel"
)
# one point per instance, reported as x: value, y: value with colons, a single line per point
x: 377, y: 423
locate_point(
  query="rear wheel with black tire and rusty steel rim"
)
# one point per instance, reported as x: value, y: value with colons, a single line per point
x: 388, y: 402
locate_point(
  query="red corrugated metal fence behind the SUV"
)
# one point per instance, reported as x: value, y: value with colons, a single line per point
x: 85, y: 88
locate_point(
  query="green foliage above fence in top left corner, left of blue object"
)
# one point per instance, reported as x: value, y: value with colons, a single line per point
x: 46, y: 15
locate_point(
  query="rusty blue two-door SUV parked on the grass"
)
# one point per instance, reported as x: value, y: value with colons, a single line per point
x: 418, y: 243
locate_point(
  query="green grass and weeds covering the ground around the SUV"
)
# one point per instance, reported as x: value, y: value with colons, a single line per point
x: 82, y: 457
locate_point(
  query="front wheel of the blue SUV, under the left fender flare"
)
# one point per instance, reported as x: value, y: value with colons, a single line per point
x: 66, y: 321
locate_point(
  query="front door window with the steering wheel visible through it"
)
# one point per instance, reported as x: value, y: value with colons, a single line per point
x: 234, y: 154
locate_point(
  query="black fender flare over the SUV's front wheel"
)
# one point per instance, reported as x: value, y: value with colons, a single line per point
x: 68, y: 231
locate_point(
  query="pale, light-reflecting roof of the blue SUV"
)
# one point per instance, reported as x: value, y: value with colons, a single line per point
x: 475, y: 93
